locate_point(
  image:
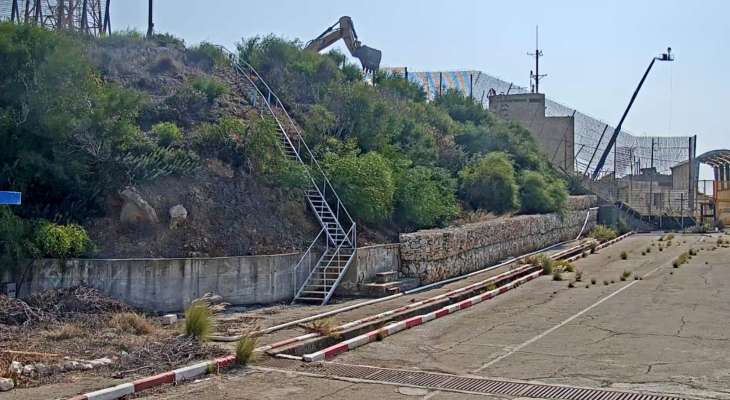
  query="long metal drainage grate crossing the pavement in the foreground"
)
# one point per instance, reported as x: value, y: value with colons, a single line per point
x: 456, y: 383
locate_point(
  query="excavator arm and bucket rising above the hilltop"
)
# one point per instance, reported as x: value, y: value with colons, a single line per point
x: 345, y: 30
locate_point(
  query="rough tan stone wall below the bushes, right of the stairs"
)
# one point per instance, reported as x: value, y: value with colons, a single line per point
x: 433, y: 255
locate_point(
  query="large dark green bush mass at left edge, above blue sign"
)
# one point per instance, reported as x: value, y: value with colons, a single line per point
x: 60, y: 123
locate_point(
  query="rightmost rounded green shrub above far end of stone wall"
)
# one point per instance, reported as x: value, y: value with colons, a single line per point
x: 539, y: 194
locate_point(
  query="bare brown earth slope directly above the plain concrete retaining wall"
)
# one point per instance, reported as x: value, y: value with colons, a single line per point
x: 225, y: 217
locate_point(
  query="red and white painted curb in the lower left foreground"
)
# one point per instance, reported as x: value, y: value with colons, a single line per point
x: 175, y: 376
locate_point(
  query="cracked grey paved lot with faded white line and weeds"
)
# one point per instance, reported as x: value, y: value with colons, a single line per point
x: 667, y: 333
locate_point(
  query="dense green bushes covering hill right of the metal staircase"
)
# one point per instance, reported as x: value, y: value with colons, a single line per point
x: 397, y: 157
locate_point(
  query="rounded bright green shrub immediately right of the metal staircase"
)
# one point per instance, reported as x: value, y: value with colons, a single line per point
x: 365, y: 184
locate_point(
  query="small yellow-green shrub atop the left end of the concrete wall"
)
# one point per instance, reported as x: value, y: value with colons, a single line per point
x: 61, y: 241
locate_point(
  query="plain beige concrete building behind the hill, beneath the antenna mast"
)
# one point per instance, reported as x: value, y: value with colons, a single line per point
x: 554, y: 135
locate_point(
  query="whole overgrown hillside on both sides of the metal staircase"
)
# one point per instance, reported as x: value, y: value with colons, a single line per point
x: 105, y: 136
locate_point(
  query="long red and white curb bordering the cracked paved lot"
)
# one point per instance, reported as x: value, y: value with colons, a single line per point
x: 396, y: 327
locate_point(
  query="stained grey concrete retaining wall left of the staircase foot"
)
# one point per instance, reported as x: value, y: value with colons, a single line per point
x: 170, y: 284
